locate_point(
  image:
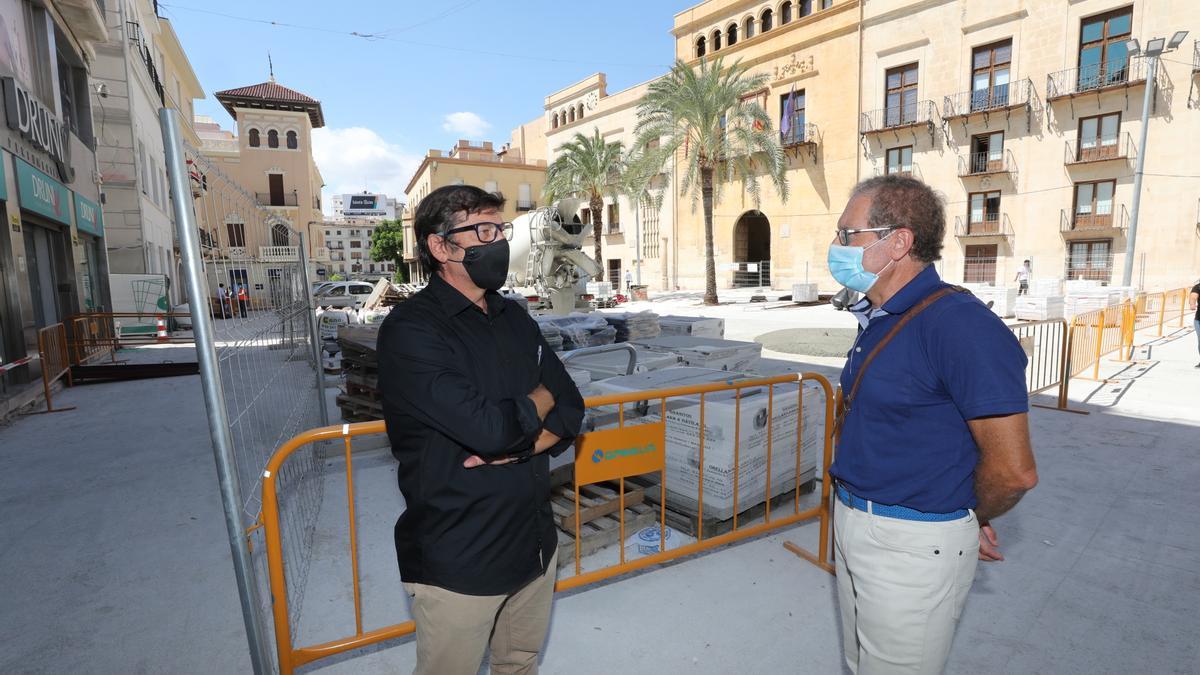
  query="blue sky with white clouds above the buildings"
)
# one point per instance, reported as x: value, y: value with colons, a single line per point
x: 419, y: 75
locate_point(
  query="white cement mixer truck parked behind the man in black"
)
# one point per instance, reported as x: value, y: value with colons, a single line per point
x: 548, y: 260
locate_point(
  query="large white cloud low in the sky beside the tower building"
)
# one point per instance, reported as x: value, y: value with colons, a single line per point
x: 357, y: 159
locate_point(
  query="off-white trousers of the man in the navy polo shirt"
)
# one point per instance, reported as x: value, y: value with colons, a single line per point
x: 902, y: 587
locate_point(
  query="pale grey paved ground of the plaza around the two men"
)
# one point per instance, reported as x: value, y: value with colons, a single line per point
x: 116, y: 557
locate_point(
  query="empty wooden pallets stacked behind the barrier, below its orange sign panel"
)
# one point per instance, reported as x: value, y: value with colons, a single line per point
x: 602, y: 529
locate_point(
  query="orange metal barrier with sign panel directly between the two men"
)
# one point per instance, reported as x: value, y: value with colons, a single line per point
x: 634, y: 447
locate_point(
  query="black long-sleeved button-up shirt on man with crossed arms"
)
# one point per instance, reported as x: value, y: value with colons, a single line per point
x: 455, y: 383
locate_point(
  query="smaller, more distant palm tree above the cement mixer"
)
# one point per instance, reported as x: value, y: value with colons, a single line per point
x: 587, y: 166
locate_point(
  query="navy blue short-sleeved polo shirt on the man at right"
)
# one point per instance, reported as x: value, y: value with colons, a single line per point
x: 907, y: 439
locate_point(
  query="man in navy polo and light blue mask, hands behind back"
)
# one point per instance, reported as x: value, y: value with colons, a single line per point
x: 934, y: 434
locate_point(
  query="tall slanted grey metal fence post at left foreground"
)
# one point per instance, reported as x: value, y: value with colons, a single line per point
x: 211, y: 378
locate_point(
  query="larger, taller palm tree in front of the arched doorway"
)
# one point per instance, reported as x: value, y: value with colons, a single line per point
x: 705, y: 115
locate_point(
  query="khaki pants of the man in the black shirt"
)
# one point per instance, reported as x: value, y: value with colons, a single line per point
x: 453, y: 630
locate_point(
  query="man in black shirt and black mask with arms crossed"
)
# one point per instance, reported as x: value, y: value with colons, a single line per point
x: 475, y: 401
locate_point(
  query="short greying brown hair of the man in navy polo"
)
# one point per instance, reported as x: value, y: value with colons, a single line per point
x: 907, y: 202
